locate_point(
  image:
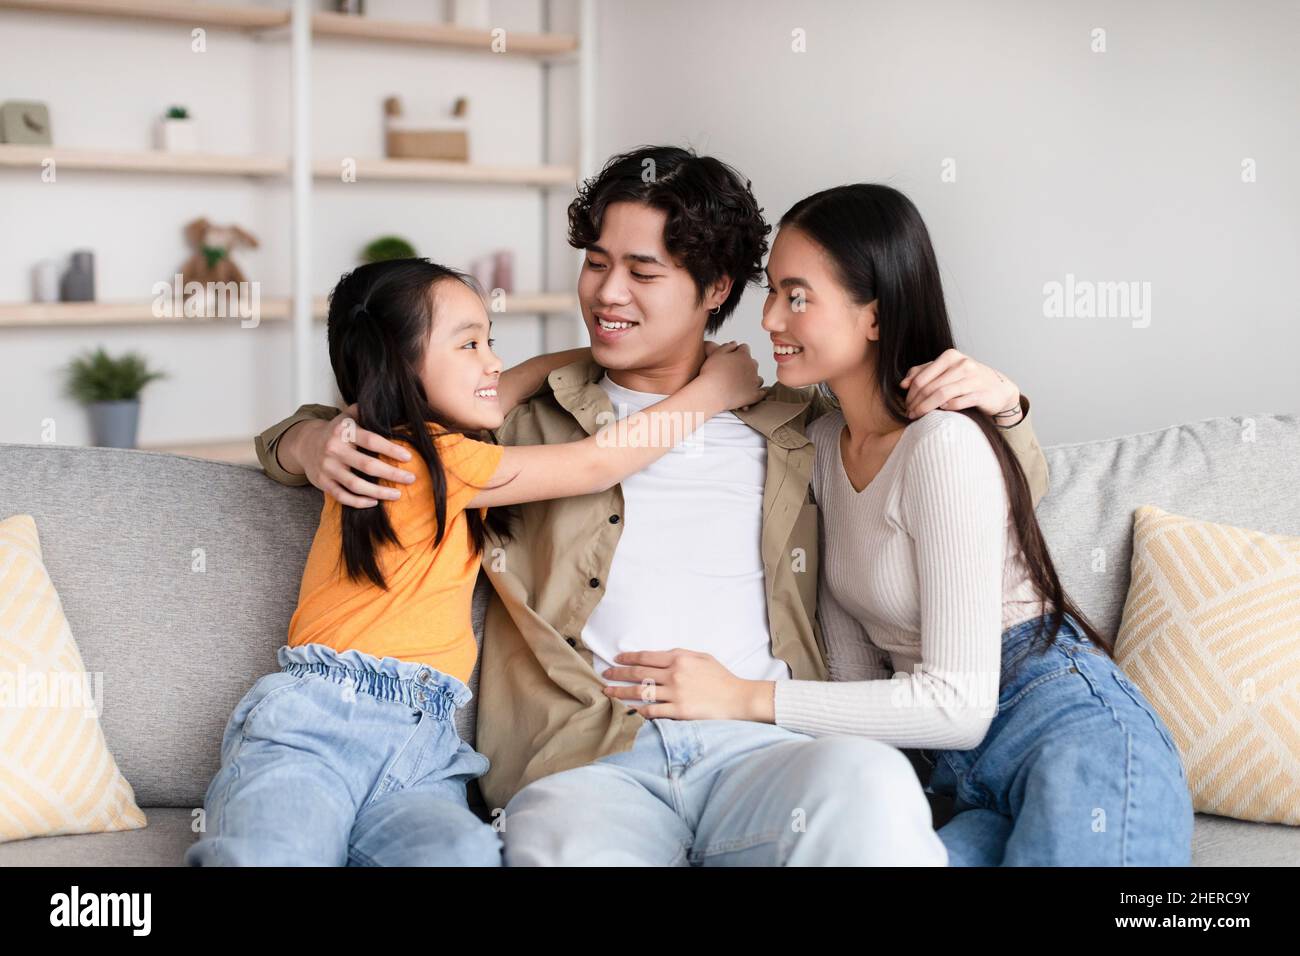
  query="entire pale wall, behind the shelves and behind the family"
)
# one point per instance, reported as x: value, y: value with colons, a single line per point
x: 1113, y: 167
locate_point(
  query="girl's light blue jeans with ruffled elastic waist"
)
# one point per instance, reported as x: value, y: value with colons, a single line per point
x: 344, y: 759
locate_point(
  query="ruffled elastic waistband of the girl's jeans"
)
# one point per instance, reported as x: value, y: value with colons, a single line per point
x: 406, y: 682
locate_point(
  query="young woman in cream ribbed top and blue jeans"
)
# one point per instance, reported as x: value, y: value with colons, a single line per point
x: 946, y: 624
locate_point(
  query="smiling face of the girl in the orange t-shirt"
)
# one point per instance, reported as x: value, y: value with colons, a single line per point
x: 461, y: 371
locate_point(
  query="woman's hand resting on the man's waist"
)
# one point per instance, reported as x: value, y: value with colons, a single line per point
x: 690, y: 686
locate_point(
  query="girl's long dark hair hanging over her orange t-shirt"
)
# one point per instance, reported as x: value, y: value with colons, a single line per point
x: 380, y: 319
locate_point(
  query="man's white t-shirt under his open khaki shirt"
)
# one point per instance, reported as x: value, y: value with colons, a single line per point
x: 688, y: 572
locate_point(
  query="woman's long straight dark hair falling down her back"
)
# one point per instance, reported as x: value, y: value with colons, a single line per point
x: 882, y: 252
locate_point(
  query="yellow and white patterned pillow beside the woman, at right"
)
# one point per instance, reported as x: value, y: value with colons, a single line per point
x: 1211, y: 634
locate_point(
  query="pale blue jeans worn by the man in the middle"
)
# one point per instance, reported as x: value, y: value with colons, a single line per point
x: 727, y: 793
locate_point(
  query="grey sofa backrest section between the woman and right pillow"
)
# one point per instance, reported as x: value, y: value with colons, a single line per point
x: 1242, y: 471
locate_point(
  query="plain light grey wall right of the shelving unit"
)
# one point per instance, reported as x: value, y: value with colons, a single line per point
x: 1113, y: 167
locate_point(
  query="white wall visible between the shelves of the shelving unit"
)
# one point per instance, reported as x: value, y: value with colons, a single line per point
x: 105, y: 83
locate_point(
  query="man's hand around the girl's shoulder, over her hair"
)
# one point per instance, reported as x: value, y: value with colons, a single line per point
x: 327, y: 452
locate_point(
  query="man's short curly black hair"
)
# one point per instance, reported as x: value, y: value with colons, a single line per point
x: 716, y: 227
